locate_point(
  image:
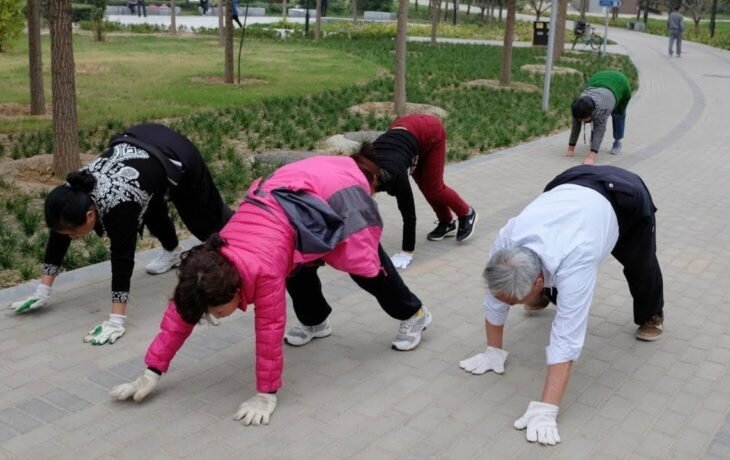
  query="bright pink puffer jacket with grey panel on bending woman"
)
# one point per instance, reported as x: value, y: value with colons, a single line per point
x: 264, y: 246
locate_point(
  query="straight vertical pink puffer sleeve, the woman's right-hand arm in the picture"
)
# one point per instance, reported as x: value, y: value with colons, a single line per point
x: 270, y: 321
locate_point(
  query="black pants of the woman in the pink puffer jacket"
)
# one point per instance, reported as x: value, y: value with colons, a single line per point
x: 388, y: 287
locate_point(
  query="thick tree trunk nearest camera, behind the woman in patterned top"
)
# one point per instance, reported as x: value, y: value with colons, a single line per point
x: 63, y: 87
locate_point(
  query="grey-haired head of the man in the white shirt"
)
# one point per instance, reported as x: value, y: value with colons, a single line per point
x: 512, y: 272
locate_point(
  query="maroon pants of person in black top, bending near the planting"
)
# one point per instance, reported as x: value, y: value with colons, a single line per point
x: 429, y: 172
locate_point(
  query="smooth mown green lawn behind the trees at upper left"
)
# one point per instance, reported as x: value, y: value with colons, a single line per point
x: 137, y: 77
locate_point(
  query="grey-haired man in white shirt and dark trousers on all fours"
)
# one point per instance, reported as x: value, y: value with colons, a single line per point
x: 551, y: 252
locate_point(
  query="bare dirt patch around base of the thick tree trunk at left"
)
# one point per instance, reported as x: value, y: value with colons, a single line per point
x: 35, y: 172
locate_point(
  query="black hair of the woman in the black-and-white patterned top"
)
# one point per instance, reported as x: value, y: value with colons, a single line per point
x: 66, y: 205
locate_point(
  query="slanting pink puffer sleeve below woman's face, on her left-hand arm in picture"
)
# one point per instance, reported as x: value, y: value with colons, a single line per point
x: 173, y: 333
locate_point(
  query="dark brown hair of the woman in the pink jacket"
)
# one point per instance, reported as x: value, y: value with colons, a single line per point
x: 205, y: 279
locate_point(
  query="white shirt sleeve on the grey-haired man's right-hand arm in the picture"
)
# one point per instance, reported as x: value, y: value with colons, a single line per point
x: 575, y: 293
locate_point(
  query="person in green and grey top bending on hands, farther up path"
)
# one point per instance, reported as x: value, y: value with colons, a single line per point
x: 608, y: 93
